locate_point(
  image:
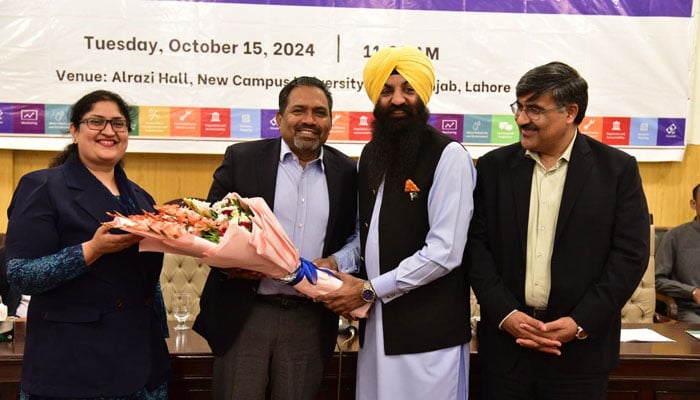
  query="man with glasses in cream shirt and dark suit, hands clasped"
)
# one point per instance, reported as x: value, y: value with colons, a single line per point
x: 558, y: 242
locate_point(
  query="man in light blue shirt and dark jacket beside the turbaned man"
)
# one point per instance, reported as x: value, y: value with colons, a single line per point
x: 266, y: 337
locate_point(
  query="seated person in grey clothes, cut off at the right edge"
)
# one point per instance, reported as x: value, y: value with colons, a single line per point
x: 678, y: 264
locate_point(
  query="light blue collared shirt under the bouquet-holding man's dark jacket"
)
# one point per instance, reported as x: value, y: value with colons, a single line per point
x: 301, y: 206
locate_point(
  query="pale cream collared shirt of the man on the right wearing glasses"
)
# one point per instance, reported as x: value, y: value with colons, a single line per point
x: 545, y: 200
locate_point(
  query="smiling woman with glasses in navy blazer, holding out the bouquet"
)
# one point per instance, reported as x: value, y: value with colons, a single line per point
x: 96, y: 323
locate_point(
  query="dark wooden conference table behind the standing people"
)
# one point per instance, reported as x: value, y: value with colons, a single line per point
x: 648, y: 370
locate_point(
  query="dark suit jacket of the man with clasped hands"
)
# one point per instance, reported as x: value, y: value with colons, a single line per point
x: 601, y: 250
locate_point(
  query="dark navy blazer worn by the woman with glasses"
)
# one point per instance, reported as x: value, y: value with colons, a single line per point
x: 98, y: 333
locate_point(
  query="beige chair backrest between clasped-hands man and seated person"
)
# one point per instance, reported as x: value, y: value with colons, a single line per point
x: 641, y: 306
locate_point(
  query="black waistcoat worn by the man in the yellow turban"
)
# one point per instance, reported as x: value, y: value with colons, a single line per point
x: 433, y: 316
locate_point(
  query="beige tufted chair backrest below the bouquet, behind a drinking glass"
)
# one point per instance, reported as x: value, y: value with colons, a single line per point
x: 182, y: 274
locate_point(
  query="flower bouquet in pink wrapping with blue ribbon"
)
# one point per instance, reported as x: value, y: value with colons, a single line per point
x: 233, y: 232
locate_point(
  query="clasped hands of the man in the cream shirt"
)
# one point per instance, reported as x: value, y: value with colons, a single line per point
x: 532, y: 333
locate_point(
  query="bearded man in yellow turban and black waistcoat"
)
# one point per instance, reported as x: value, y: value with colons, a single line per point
x: 415, y: 201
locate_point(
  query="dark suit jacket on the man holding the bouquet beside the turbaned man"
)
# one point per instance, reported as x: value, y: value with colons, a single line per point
x: 250, y: 169
